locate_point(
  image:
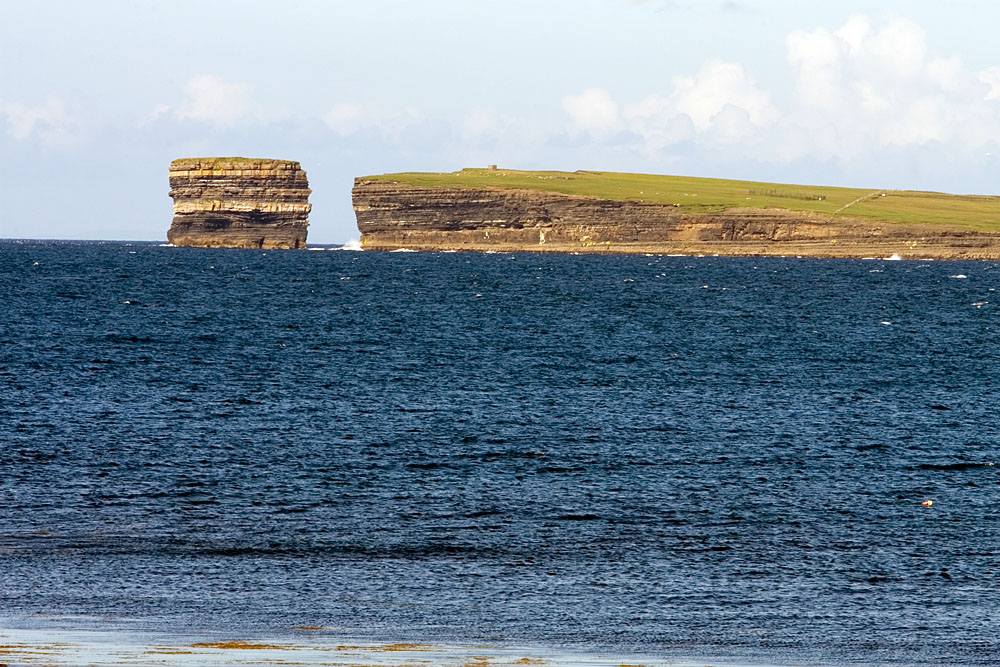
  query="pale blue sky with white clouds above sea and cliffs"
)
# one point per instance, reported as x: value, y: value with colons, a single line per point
x: 97, y: 98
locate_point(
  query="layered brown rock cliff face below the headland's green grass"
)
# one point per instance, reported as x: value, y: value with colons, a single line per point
x: 395, y: 215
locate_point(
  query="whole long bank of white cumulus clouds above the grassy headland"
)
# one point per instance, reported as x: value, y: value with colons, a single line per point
x: 859, y: 89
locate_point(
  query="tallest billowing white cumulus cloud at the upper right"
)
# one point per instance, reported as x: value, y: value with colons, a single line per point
x: 861, y: 88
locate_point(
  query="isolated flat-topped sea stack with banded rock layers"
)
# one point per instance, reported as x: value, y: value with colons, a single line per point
x: 235, y: 202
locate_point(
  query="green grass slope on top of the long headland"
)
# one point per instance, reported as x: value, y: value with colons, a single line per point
x: 711, y: 194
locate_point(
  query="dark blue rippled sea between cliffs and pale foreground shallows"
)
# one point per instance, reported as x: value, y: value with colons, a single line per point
x: 682, y: 456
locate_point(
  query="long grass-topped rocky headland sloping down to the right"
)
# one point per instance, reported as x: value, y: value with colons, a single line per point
x: 507, y: 210
